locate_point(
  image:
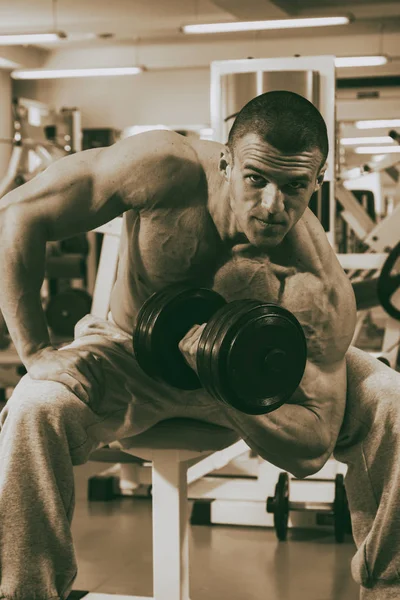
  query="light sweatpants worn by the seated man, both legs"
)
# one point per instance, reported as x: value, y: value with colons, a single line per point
x: 45, y: 430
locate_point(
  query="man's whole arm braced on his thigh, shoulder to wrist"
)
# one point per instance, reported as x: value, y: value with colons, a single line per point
x: 74, y: 195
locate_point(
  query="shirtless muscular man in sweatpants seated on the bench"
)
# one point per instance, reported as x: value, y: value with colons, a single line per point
x: 231, y: 217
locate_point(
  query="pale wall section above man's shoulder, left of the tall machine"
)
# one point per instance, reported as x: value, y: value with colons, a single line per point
x: 155, y: 97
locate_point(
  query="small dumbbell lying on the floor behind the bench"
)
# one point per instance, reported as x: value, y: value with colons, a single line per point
x: 280, y: 506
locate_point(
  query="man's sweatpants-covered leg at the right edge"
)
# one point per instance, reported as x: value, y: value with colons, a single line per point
x: 369, y: 443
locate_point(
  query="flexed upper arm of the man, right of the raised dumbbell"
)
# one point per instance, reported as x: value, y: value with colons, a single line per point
x: 325, y: 307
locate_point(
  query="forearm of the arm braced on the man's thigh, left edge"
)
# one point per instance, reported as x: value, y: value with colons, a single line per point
x: 22, y: 266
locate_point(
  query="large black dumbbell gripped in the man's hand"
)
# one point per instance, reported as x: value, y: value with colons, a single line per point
x: 251, y: 354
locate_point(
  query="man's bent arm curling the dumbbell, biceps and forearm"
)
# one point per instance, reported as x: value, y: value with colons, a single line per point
x: 300, y: 435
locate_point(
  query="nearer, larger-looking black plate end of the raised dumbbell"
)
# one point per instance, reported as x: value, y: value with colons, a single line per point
x: 252, y: 355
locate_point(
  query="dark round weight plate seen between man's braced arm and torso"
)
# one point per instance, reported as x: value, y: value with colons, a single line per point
x: 65, y: 309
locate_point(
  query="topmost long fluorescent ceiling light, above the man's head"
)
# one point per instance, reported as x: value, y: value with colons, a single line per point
x: 261, y: 25
